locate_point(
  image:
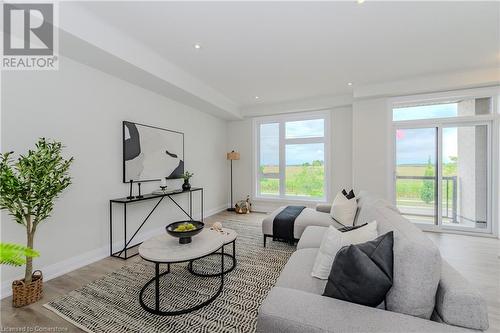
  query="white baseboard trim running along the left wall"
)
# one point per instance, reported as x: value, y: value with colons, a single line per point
x: 68, y: 265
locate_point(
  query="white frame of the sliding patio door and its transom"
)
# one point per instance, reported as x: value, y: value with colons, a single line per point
x: 491, y: 121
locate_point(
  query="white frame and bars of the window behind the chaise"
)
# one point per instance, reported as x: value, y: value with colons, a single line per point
x: 281, y: 120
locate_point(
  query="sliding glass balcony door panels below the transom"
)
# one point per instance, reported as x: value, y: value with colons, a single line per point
x: 442, y: 175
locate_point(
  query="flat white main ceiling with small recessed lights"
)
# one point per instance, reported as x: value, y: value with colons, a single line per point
x: 284, y: 51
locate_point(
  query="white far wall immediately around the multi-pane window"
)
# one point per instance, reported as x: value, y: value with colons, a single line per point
x: 240, y: 139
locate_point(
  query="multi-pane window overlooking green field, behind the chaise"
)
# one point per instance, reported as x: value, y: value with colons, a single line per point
x: 292, y: 156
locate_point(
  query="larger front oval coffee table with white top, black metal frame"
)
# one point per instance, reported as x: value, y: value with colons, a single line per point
x: 165, y: 249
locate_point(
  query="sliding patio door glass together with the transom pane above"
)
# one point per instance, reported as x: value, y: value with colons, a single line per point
x: 443, y: 163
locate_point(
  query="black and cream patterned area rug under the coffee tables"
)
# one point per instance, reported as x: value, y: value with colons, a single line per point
x: 111, y: 304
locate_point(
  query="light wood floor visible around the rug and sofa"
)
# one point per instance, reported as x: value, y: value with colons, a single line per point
x: 475, y: 257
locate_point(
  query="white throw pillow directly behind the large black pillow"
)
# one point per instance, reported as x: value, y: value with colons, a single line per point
x: 333, y: 241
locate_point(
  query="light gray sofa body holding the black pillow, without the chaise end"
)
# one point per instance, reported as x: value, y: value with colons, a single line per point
x: 428, y: 295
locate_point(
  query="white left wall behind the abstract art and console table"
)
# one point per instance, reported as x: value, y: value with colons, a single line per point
x: 84, y: 108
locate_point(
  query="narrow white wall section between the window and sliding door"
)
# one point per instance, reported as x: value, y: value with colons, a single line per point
x: 371, y: 130
